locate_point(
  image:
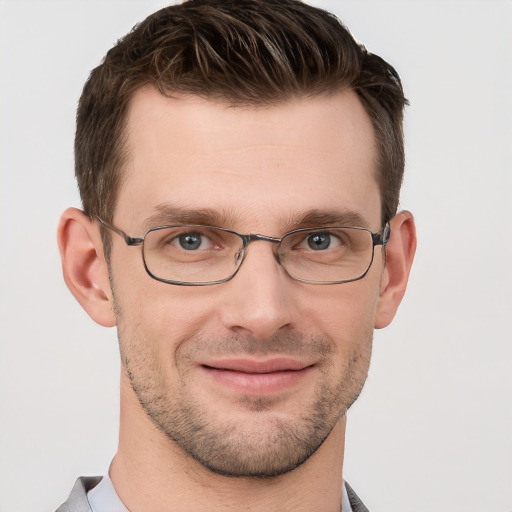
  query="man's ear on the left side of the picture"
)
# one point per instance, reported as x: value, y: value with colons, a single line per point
x: 84, y: 267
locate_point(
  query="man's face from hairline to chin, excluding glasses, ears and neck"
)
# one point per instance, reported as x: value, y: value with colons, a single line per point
x: 248, y: 377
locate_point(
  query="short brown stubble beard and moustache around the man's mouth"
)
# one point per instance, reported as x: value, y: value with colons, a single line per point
x: 266, y: 444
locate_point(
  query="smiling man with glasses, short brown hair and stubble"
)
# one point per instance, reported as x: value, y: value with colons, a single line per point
x: 239, y: 165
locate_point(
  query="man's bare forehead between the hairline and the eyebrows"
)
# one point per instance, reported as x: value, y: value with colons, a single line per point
x: 254, y: 164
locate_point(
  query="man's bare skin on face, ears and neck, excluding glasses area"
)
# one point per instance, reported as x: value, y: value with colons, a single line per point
x: 186, y: 431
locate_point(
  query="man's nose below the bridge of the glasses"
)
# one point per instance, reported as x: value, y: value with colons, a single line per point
x: 259, y: 300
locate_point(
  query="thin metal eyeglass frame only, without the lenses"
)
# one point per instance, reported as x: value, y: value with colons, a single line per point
x: 379, y: 238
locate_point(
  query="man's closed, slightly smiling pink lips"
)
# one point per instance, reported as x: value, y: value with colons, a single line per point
x: 257, y: 377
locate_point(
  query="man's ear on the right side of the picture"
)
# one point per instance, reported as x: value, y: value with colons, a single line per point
x: 400, y: 251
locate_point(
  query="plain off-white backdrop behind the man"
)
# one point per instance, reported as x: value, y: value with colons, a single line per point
x: 432, y: 429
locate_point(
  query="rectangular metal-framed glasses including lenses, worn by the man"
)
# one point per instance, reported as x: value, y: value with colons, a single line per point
x: 195, y: 255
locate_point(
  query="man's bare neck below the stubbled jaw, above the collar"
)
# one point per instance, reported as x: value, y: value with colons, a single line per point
x: 151, y: 473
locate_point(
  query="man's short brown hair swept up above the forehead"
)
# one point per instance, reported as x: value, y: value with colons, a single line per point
x: 245, y: 52
